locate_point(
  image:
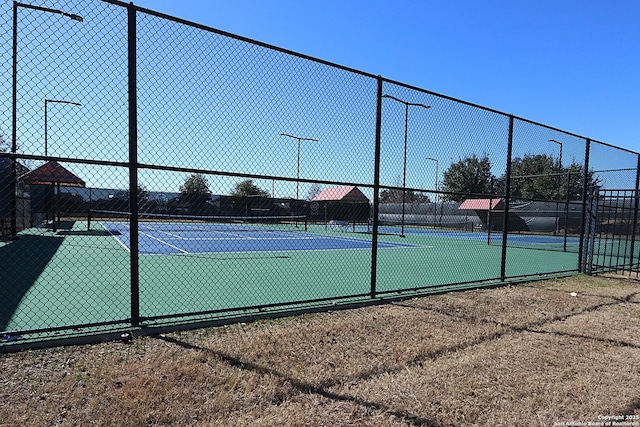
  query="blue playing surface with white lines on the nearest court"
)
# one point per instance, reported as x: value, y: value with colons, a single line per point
x: 172, y: 238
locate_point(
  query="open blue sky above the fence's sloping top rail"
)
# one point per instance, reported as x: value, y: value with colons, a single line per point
x: 570, y: 64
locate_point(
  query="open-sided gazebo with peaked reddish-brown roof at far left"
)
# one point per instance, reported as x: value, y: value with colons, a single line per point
x: 55, y: 175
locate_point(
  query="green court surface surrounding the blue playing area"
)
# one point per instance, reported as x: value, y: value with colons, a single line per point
x: 78, y: 277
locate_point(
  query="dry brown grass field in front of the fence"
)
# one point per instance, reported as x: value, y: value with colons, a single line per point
x: 526, y: 355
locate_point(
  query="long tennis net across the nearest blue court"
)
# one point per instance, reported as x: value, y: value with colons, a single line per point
x: 150, y: 222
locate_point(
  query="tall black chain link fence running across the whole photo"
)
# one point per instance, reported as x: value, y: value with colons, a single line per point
x: 156, y: 173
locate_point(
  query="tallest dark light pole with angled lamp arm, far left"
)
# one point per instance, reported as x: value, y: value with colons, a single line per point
x: 14, y: 108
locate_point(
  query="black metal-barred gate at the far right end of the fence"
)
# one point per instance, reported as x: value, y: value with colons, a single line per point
x: 610, y: 239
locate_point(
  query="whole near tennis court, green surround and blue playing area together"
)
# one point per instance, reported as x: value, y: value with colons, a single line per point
x: 83, y: 276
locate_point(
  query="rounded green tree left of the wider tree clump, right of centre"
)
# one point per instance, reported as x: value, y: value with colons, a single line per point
x: 469, y: 175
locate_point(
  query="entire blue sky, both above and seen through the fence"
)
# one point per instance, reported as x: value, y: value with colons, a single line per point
x: 213, y: 103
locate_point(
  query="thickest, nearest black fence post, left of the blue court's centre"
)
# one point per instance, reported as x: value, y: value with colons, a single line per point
x: 133, y: 166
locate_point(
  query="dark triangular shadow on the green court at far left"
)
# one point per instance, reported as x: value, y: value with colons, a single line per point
x: 22, y: 261
